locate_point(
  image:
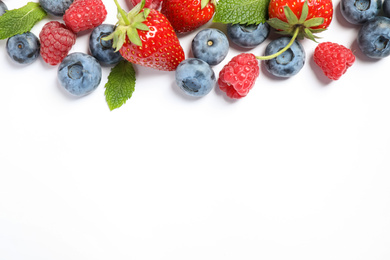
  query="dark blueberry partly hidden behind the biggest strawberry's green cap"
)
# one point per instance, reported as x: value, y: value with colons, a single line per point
x: 102, y: 50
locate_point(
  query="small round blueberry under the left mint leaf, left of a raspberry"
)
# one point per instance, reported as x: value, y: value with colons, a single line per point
x: 23, y: 48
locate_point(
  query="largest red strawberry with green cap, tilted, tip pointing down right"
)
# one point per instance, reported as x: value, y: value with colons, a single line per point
x: 145, y: 37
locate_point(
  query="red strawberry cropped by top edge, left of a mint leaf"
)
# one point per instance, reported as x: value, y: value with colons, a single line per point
x: 188, y: 15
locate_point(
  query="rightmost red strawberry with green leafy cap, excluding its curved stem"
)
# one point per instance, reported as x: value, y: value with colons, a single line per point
x: 300, y: 17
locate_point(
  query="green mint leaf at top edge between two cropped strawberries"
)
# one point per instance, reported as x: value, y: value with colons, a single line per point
x: 241, y: 11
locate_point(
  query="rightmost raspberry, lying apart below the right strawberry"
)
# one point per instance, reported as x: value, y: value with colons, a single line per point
x: 334, y: 59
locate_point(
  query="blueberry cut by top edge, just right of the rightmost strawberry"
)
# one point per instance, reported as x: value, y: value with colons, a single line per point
x: 360, y: 11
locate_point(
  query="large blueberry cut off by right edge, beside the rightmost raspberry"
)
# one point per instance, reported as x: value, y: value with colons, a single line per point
x: 374, y: 37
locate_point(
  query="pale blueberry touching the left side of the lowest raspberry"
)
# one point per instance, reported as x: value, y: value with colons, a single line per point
x: 195, y: 77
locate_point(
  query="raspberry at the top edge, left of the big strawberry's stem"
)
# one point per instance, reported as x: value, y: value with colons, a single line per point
x: 85, y: 14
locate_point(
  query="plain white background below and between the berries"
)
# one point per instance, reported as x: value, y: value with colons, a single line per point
x: 298, y: 169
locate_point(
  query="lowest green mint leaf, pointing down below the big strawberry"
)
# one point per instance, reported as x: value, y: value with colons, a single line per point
x: 120, y: 85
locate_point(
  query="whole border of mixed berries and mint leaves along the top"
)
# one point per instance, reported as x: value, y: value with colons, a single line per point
x: 147, y: 35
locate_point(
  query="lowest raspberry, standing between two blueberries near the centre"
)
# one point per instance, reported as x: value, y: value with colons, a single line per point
x: 238, y: 76
